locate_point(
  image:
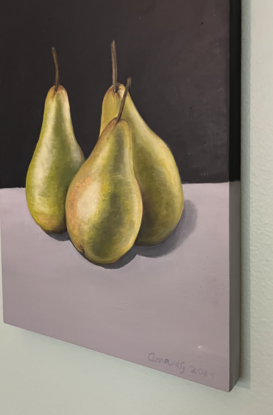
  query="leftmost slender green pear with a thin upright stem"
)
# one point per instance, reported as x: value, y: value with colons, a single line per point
x: 56, y: 160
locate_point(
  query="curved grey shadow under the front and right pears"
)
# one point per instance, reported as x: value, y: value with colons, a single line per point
x: 185, y: 227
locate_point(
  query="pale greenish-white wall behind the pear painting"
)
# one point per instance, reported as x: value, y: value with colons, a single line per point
x: 42, y: 376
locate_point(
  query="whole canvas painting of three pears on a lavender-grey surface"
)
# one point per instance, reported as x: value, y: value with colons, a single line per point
x: 120, y: 180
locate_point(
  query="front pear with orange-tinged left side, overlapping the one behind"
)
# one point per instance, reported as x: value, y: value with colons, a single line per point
x: 103, y: 204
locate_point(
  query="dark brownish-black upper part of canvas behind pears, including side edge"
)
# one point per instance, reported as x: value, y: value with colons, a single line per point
x: 177, y: 52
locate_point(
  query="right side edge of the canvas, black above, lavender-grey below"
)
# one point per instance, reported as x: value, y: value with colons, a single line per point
x: 235, y: 192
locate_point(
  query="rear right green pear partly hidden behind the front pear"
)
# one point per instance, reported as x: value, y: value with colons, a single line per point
x: 154, y: 165
